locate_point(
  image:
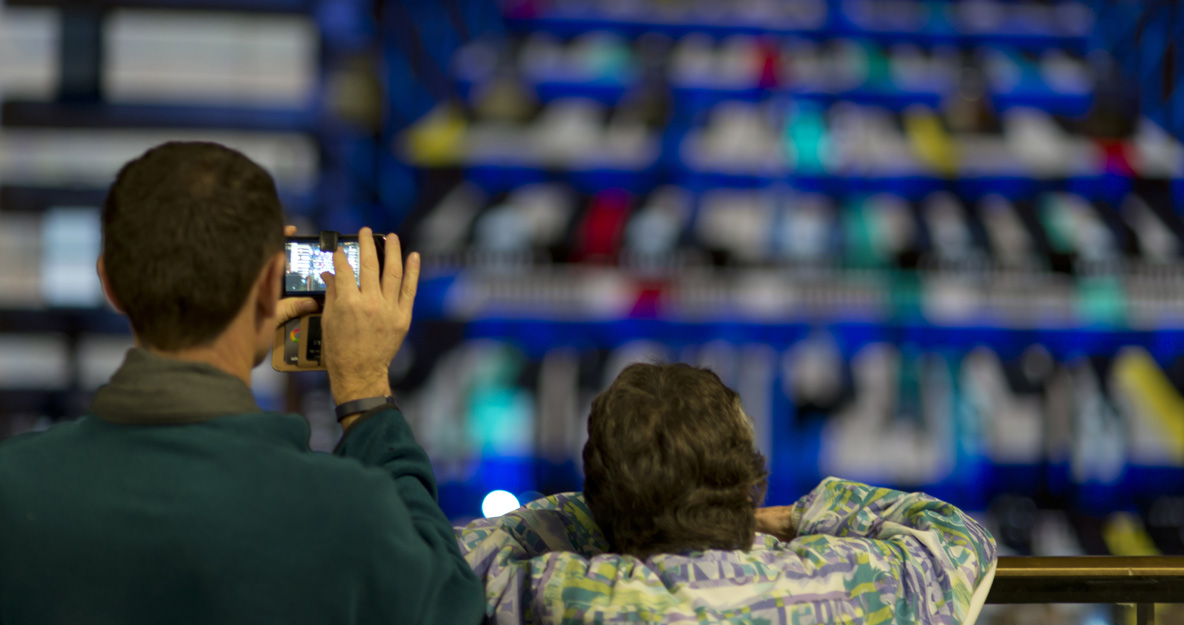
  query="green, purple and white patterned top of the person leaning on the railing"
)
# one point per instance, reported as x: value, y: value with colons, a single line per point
x: 864, y: 557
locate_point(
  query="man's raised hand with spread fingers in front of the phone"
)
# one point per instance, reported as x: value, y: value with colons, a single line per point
x: 364, y: 326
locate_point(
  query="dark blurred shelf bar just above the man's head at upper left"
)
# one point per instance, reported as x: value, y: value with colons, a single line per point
x: 31, y: 114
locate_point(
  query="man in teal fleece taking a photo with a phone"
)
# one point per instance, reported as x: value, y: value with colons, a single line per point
x: 177, y: 500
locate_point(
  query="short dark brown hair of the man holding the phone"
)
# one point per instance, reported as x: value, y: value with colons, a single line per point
x: 186, y: 230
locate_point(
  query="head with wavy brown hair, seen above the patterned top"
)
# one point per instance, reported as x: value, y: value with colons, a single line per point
x: 671, y: 465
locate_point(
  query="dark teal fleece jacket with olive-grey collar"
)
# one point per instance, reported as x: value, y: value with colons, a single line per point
x: 178, y: 501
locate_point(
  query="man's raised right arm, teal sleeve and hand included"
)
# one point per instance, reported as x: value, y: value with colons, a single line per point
x: 365, y: 323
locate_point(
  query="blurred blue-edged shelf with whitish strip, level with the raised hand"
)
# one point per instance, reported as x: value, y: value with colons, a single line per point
x: 754, y: 302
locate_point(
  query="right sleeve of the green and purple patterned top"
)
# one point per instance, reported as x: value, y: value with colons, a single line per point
x: 904, y: 555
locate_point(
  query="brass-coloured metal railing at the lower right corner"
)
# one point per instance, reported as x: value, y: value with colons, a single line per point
x: 1130, y: 584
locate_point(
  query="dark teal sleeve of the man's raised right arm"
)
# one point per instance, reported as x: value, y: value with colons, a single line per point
x: 449, y: 590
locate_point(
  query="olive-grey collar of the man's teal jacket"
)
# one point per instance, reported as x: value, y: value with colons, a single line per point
x: 152, y: 390
